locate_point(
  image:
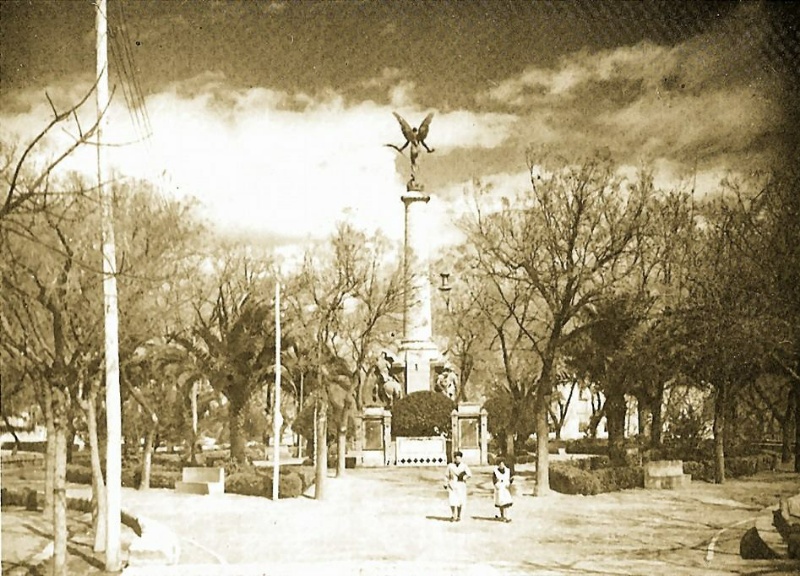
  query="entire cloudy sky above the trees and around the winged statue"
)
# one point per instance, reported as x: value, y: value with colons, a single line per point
x: 275, y: 115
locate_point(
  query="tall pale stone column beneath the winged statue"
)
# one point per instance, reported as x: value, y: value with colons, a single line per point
x: 417, y: 347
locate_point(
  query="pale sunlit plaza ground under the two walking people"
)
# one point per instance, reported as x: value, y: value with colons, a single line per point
x: 395, y: 521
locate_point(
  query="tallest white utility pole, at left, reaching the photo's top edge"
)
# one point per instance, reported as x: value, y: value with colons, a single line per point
x: 113, y: 408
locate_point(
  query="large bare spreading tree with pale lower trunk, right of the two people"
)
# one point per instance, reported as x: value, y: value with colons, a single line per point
x: 567, y: 242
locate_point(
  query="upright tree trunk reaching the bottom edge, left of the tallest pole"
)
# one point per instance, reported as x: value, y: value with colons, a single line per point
x: 60, y: 484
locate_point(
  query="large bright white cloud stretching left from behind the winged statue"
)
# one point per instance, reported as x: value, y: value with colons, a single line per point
x: 262, y: 160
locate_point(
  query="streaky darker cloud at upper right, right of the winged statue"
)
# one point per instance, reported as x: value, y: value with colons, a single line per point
x: 710, y: 99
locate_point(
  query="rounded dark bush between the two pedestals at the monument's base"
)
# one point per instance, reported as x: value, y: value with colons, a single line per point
x: 423, y: 413
